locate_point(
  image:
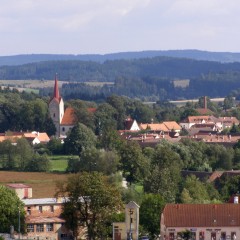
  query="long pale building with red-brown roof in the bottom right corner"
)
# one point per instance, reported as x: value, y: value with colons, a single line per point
x: 201, y: 221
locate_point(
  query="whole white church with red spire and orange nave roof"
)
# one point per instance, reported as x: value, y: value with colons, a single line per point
x: 64, y: 120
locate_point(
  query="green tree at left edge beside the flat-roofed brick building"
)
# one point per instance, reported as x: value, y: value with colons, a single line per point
x: 10, y: 208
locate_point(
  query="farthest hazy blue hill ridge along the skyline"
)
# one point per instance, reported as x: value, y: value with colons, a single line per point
x: 224, y: 57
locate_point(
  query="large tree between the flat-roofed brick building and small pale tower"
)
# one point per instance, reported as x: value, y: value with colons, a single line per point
x: 91, y: 201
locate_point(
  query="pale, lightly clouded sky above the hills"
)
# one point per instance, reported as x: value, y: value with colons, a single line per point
x: 109, y: 26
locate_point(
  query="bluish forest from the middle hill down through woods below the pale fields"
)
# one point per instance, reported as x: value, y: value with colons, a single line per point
x: 149, y: 79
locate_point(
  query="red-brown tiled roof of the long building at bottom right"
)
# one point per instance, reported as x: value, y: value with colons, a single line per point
x: 201, y: 215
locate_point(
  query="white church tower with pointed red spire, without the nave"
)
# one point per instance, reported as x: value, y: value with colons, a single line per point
x: 56, y: 107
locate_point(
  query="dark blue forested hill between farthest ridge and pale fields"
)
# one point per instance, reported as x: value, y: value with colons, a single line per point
x: 82, y: 71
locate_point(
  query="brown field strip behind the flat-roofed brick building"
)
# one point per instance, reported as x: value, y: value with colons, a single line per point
x: 43, y: 184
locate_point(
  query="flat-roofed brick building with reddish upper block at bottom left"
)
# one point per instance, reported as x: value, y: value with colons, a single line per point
x: 43, y: 216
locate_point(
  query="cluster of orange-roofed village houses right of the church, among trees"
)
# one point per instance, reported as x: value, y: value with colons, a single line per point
x: 199, y: 128
